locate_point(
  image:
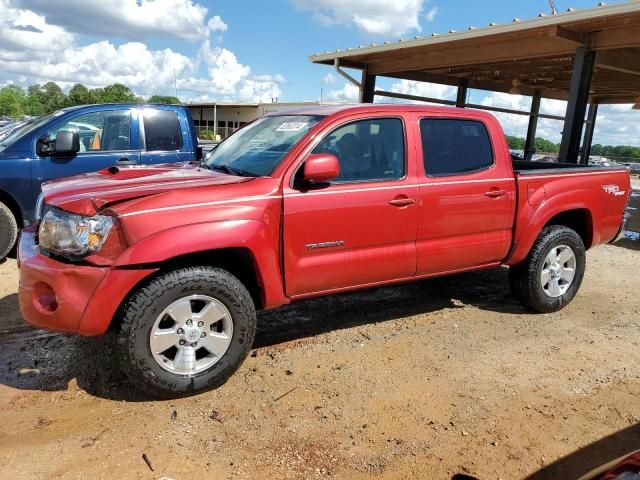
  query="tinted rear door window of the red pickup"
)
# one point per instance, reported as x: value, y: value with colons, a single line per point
x: 453, y: 147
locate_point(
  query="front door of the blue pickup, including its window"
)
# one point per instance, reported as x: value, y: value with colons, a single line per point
x: 106, y: 139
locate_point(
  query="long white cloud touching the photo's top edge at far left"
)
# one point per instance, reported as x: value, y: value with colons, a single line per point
x: 129, y: 19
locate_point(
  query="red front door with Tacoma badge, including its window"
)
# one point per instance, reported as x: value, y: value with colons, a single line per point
x: 361, y: 228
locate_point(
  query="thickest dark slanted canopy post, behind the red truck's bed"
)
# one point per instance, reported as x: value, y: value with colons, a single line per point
x: 577, y: 104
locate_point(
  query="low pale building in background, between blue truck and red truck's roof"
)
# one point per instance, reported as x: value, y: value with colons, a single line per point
x: 222, y: 119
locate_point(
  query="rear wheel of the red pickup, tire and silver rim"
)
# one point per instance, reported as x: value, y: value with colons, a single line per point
x: 548, y: 279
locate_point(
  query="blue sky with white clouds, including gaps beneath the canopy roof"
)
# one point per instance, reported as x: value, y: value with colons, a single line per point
x: 250, y: 50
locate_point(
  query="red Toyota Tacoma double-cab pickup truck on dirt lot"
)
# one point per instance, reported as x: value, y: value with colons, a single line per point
x: 178, y: 258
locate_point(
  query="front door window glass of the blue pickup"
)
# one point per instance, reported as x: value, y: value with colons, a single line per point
x: 100, y: 131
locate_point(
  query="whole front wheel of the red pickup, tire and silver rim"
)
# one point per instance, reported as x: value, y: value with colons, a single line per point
x: 186, y: 331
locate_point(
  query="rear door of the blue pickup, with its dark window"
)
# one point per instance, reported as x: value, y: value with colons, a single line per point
x: 165, y: 136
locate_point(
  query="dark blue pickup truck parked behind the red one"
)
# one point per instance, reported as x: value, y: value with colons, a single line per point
x: 85, y: 139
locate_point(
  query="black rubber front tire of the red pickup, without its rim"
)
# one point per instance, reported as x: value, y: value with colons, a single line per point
x: 141, y: 310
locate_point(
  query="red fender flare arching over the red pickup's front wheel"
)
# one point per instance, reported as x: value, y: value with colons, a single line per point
x: 254, y: 236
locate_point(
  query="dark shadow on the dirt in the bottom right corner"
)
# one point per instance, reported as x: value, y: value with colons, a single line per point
x: 589, y: 458
